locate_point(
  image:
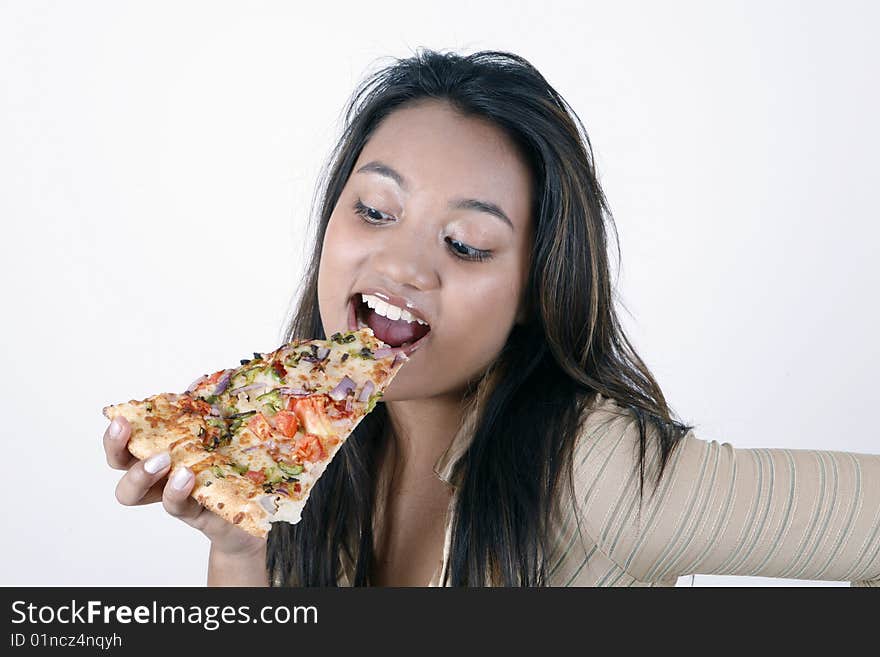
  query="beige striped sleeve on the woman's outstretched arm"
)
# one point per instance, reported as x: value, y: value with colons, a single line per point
x: 788, y: 513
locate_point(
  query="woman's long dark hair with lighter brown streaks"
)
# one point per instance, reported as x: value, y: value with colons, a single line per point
x: 529, y: 405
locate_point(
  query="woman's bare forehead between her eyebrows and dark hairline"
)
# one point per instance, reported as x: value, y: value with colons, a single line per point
x: 440, y: 151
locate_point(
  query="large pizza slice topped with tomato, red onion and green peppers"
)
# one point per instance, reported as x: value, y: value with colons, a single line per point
x: 260, y: 435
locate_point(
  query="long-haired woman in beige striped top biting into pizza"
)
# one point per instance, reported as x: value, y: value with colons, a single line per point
x: 525, y: 443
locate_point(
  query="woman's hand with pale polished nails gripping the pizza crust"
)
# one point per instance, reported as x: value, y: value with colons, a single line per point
x: 147, y: 482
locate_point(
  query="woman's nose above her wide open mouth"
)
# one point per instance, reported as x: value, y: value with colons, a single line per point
x: 404, y: 257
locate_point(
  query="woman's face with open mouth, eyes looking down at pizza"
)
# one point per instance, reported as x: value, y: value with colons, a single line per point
x: 431, y: 192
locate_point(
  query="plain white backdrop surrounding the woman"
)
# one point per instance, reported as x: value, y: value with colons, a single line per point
x: 158, y: 161
